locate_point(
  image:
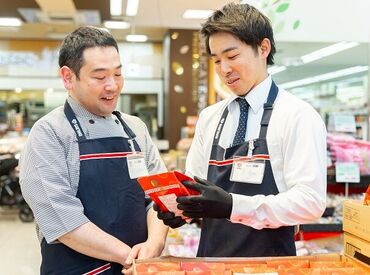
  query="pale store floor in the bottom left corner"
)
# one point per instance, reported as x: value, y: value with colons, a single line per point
x: 19, y: 247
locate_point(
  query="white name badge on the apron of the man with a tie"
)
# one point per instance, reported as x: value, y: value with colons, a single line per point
x: 248, y: 171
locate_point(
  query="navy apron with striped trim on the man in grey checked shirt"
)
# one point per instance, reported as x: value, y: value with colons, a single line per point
x: 111, y: 200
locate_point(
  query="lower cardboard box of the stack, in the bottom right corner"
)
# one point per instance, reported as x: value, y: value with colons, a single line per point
x: 356, y: 248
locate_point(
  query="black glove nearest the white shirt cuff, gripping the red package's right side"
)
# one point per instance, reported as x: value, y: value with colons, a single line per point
x: 213, y: 201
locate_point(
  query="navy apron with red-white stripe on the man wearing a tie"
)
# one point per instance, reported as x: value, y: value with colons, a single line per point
x: 222, y: 238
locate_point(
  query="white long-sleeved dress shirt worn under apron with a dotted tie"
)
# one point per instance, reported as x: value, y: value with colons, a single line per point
x: 296, y: 140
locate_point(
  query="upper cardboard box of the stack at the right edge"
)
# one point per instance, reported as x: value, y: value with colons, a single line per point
x: 356, y: 219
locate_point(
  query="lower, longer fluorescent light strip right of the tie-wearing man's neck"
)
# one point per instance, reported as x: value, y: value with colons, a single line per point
x: 323, y: 77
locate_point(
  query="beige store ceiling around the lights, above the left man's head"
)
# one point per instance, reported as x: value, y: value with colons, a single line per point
x: 53, y: 19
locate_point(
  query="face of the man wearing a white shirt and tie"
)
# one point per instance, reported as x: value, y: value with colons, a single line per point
x: 237, y: 64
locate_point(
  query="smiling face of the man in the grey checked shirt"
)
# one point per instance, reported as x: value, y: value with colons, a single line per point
x: 99, y: 85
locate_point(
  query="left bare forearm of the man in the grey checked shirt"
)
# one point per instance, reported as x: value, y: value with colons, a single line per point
x: 90, y: 240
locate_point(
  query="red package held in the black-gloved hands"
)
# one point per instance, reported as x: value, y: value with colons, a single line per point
x: 164, y: 188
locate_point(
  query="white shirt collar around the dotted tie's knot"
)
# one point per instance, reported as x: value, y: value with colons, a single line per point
x: 257, y: 96
